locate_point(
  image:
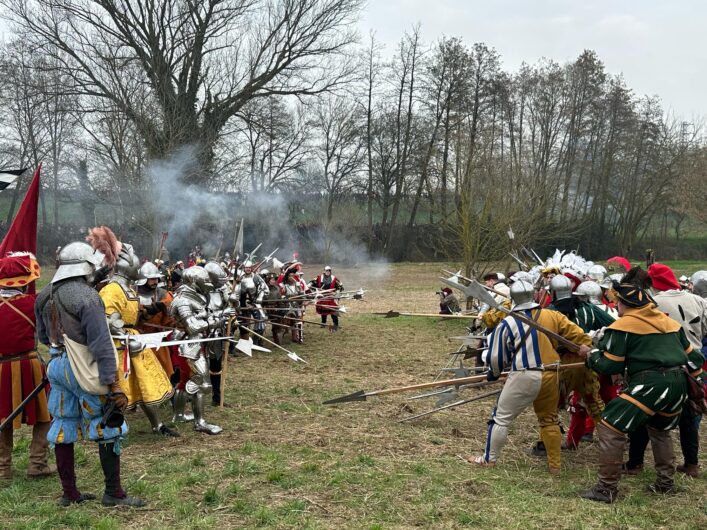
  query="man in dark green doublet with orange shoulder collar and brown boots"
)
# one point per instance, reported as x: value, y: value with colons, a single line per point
x: 652, y: 350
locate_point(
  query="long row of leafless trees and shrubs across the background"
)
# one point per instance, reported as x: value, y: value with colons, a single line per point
x: 425, y: 140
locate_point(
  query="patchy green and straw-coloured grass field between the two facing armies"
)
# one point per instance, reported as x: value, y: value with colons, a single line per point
x: 286, y: 461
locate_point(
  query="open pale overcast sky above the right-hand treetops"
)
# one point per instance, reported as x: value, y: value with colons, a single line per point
x: 659, y: 45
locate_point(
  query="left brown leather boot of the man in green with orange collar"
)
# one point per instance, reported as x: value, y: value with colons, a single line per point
x: 611, y: 449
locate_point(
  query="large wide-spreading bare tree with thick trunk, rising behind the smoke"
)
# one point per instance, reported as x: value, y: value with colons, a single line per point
x: 202, y: 61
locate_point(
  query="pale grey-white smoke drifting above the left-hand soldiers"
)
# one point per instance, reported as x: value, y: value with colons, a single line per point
x: 194, y: 216
